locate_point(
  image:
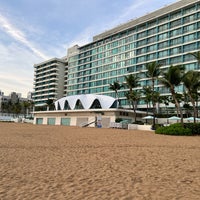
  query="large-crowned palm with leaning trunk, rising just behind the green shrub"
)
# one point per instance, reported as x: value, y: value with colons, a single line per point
x: 171, y: 79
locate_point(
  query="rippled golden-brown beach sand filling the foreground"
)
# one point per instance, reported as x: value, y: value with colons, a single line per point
x: 58, y: 162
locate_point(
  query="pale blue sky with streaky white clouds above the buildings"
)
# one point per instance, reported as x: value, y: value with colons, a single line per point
x: 32, y: 31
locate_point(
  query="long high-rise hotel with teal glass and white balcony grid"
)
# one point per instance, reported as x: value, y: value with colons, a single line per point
x: 165, y: 36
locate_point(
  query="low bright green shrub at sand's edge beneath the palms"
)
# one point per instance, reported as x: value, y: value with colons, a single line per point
x: 174, y: 129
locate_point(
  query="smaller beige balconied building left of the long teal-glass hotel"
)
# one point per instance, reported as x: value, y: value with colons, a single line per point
x: 49, y: 81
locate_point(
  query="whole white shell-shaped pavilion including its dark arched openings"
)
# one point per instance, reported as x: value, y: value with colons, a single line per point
x: 86, y: 101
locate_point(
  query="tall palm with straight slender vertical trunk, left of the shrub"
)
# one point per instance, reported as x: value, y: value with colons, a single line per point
x: 153, y: 72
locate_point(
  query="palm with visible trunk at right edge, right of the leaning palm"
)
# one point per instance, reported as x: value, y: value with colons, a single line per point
x: 191, y: 81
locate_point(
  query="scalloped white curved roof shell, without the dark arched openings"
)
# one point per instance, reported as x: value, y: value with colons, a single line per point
x: 86, y: 101
